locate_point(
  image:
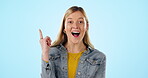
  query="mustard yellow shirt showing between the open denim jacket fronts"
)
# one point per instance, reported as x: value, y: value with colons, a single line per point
x: 73, y: 59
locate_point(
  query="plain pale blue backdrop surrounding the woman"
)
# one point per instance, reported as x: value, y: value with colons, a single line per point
x: 117, y: 28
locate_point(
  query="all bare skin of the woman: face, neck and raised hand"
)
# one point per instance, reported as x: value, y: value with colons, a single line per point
x: 75, y: 22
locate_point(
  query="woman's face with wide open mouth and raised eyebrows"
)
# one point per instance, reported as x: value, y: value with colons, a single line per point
x: 75, y: 27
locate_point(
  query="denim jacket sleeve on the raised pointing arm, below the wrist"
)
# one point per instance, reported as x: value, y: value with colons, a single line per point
x: 47, y: 70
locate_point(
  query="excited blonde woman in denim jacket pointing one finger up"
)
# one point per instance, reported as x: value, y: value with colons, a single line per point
x: 72, y: 55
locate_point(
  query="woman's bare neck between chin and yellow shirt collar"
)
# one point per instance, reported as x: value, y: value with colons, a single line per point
x: 75, y: 47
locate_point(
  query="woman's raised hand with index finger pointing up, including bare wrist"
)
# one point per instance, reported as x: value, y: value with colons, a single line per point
x: 45, y: 45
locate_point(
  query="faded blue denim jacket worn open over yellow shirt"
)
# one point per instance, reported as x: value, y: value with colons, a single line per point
x: 92, y: 64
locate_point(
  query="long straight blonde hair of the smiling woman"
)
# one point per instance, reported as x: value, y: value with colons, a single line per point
x: 62, y: 37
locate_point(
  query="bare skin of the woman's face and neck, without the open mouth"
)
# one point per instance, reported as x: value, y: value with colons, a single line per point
x: 75, y: 22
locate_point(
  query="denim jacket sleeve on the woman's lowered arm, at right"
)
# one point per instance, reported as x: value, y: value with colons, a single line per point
x: 101, y: 71
